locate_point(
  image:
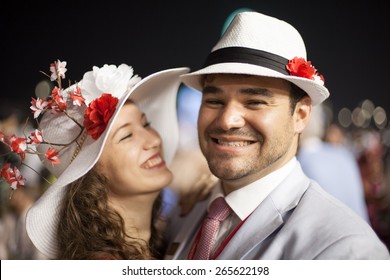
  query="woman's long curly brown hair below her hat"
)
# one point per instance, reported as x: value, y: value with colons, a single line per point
x: 90, y: 229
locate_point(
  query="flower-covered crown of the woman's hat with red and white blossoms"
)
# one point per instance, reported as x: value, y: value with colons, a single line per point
x: 72, y: 114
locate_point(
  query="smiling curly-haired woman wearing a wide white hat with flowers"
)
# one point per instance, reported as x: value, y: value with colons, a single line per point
x: 109, y: 160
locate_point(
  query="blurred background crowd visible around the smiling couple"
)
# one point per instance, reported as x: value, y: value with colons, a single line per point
x: 362, y: 132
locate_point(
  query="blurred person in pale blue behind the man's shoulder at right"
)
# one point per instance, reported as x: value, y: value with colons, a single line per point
x: 333, y: 166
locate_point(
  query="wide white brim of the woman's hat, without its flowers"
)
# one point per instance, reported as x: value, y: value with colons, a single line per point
x: 156, y: 97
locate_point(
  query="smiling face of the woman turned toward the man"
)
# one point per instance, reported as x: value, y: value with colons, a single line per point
x: 132, y: 158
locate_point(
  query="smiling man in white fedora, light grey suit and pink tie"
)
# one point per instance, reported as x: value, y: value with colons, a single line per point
x: 257, y: 94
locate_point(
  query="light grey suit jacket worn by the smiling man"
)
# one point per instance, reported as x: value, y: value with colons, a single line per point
x: 297, y: 221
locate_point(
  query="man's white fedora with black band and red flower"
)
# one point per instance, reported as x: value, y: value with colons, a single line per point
x: 261, y: 45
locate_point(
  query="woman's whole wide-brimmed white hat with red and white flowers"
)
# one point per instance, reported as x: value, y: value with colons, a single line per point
x: 73, y: 125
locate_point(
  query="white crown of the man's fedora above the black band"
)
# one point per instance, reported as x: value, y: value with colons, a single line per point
x: 261, y: 32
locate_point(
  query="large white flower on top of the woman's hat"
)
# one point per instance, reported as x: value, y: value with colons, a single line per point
x: 108, y: 79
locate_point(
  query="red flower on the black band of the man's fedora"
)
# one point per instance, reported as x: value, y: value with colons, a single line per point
x: 299, y: 67
